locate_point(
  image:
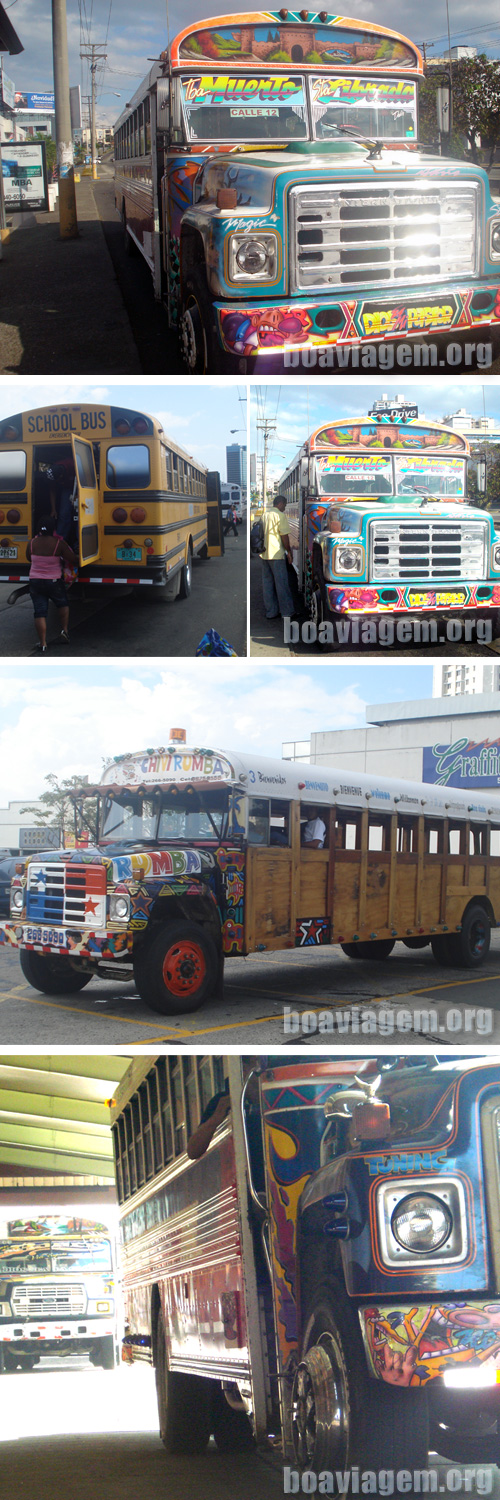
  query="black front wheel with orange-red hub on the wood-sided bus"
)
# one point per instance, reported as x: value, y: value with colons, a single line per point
x: 178, y: 970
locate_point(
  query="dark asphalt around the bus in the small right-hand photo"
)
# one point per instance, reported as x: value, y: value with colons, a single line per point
x: 268, y: 638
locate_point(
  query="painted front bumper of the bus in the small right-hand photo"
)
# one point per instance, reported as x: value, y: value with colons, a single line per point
x: 382, y: 599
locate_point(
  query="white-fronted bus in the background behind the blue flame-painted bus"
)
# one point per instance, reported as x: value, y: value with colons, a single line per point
x: 58, y: 1289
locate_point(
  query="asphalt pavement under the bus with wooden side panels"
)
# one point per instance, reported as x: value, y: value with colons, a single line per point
x: 409, y: 1001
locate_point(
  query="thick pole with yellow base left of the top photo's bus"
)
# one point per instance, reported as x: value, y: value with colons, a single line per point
x: 68, y: 224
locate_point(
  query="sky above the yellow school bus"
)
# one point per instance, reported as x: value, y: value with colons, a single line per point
x: 193, y: 415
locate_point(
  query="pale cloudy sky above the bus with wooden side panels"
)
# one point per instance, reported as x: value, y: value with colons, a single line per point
x: 67, y: 719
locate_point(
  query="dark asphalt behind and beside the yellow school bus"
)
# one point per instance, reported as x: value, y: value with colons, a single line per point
x: 142, y: 623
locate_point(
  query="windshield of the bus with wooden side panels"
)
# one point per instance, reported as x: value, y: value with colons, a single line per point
x: 182, y: 814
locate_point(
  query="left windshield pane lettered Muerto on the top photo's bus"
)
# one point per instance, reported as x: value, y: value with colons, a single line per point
x: 232, y: 109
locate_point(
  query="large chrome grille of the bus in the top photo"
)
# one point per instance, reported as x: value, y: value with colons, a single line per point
x: 369, y: 235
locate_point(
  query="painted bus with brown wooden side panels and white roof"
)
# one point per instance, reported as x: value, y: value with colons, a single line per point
x: 200, y: 856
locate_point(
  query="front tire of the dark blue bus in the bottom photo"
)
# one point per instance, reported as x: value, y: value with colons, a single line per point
x: 369, y: 1423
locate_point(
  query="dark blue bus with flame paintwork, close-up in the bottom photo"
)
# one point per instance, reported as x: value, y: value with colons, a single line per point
x: 330, y: 1268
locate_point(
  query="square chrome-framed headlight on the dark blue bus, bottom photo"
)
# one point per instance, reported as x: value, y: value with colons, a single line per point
x: 448, y: 1195
